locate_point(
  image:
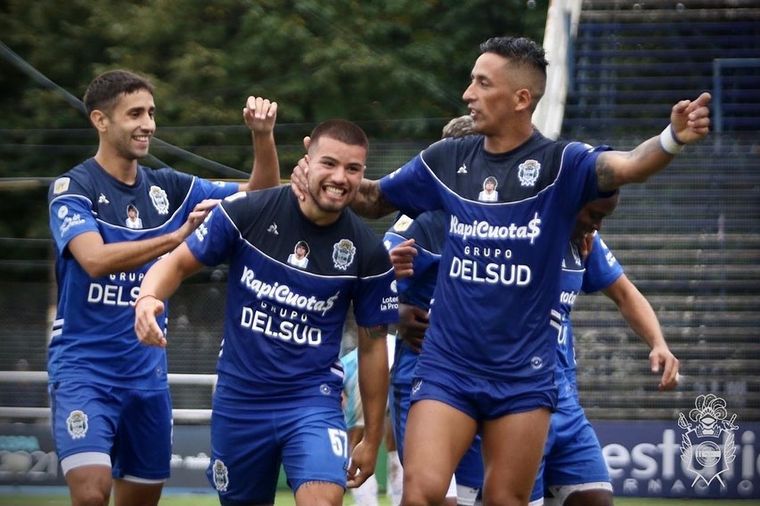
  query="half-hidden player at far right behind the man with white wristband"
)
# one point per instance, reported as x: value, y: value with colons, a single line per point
x: 574, y: 472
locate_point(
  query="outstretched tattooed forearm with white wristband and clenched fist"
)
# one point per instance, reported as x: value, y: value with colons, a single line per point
x: 689, y: 122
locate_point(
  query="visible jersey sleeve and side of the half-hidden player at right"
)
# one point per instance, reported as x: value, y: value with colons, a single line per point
x: 599, y: 270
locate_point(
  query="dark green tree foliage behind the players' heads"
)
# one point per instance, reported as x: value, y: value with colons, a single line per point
x: 397, y: 67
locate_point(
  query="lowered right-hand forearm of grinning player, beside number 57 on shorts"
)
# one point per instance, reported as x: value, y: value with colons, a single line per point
x: 373, y: 389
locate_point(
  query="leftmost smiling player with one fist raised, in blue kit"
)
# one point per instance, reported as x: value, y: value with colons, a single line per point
x: 111, y: 409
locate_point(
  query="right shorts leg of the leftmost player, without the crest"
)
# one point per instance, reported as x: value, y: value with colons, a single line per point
x: 143, y: 445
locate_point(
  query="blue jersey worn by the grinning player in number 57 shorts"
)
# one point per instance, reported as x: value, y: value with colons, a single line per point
x: 285, y: 310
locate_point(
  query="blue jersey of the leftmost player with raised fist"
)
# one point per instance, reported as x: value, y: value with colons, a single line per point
x: 93, y: 338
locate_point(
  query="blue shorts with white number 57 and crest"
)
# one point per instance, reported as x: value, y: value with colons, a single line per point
x: 250, y: 443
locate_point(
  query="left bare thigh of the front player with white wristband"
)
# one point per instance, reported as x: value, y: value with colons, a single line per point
x: 437, y: 435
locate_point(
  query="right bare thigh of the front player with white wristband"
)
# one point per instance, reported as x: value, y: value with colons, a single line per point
x: 512, y: 448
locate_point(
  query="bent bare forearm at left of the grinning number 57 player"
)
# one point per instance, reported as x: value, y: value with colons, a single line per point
x: 160, y: 282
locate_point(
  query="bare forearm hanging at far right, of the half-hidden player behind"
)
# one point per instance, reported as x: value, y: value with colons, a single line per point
x: 639, y: 314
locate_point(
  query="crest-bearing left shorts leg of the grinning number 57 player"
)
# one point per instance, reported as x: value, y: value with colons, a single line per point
x: 245, y: 455
